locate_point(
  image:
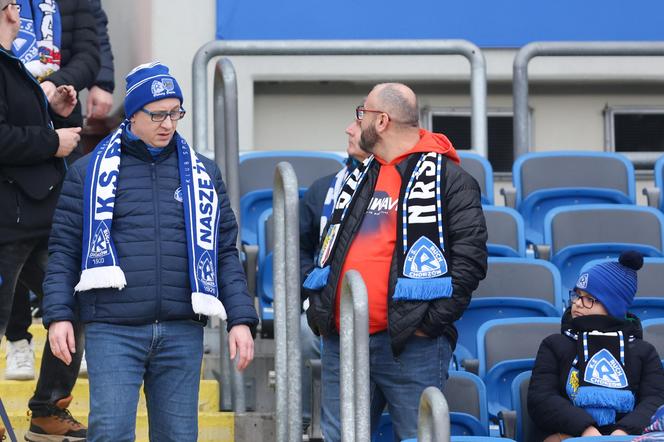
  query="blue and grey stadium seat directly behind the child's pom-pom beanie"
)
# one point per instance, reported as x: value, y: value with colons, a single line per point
x: 649, y: 300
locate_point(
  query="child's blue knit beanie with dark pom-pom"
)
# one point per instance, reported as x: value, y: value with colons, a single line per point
x: 613, y: 283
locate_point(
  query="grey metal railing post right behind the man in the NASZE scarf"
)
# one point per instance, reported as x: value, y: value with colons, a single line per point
x: 226, y: 153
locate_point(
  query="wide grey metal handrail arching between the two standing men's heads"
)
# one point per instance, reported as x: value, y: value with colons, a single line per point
x: 342, y: 47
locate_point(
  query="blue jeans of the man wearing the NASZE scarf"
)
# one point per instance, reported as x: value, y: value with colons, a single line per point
x: 166, y: 357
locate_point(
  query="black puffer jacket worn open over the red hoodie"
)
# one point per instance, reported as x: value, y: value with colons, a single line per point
x: 466, y: 237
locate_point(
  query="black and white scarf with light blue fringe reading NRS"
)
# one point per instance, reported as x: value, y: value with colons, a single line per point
x: 420, y: 238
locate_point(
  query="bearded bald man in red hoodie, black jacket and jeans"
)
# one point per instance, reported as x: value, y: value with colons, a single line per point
x: 410, y: 220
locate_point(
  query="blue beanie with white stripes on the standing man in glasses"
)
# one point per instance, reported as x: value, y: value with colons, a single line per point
x: 147, y: 83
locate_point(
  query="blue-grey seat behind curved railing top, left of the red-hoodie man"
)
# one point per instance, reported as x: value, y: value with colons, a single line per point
x: 257, y: 181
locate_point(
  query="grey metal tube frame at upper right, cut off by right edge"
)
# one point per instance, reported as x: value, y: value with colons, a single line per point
x: 538, y: 49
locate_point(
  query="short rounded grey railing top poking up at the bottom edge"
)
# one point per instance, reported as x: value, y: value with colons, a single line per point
x: 433, y: 420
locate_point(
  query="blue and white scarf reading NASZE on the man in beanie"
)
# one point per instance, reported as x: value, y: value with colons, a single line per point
x: 100, y: 266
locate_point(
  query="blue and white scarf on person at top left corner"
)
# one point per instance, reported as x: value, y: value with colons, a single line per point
x: 37, y: 44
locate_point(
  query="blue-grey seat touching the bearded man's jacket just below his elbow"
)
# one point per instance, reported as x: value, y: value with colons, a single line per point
x: 513, y: 287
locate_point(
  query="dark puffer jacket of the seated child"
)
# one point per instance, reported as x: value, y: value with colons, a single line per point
x: 548, y: 403
